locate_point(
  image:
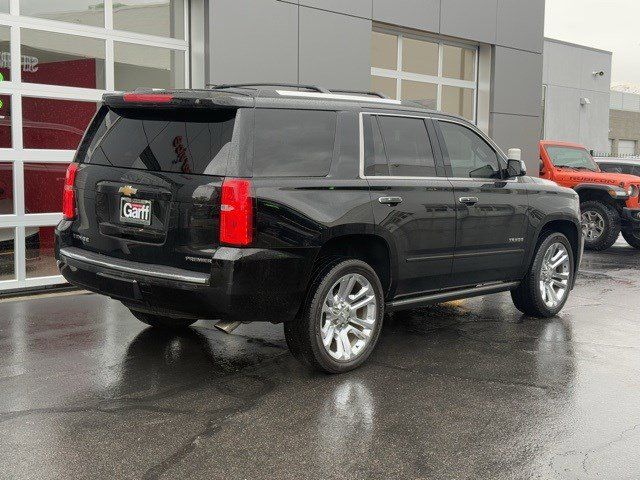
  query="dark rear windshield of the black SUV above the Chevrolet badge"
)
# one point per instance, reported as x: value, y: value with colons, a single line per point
x: 169, y: 140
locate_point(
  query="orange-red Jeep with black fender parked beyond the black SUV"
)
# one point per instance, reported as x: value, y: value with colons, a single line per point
x: 609, y: 201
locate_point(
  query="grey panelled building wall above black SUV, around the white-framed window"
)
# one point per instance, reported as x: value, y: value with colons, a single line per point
x: 329, y: 42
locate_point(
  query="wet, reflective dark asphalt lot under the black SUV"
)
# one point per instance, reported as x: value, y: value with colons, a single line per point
x: 470, y: 389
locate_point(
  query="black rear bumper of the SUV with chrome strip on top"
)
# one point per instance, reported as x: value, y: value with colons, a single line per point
x: 243, y: 285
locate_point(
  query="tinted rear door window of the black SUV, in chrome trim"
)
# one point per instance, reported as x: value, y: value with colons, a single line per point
x: 406, y: 143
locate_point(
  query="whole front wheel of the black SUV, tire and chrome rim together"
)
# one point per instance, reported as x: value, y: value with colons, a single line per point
x: 545, y: 289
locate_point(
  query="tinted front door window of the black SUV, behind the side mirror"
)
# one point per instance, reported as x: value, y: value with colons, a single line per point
x: 470, y: 155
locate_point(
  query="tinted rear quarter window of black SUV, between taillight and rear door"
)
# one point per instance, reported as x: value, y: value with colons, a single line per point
x: 293, y: 143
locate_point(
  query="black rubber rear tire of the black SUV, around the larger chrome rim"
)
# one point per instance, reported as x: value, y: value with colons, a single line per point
x: 304, y: 334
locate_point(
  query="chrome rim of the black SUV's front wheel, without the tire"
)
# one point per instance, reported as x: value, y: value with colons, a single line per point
x: 554, y: 276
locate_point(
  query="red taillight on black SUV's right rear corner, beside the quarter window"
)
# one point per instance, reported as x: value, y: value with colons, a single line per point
x: 236, y: 212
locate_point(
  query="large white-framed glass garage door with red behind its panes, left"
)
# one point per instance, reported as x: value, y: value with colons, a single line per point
x: 57, y: 58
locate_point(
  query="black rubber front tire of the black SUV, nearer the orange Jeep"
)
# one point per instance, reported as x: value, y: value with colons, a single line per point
x: 528, y: 296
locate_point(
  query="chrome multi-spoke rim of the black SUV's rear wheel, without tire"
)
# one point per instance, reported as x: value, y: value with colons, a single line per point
x: 349, y: 314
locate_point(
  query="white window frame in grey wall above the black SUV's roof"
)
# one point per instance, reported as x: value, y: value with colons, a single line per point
x: 439, y: 80
